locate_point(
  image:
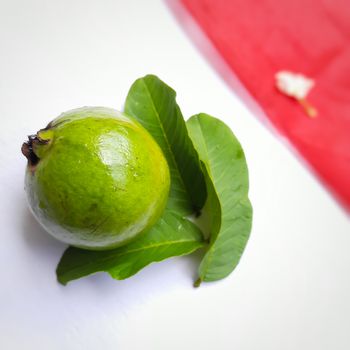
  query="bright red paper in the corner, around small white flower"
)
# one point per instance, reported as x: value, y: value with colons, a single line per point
x: 258, y: 38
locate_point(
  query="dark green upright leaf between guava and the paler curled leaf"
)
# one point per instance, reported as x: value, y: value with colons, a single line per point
x: 153, y: 104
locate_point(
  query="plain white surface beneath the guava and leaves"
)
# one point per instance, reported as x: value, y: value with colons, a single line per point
x: 291, y: 289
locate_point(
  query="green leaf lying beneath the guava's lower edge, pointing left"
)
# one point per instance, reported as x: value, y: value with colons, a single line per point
x: 171, y: 236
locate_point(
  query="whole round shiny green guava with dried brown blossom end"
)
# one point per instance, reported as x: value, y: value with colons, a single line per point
x: 95, y: 179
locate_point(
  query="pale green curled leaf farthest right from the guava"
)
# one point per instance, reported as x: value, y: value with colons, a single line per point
x: 228, y: 204
